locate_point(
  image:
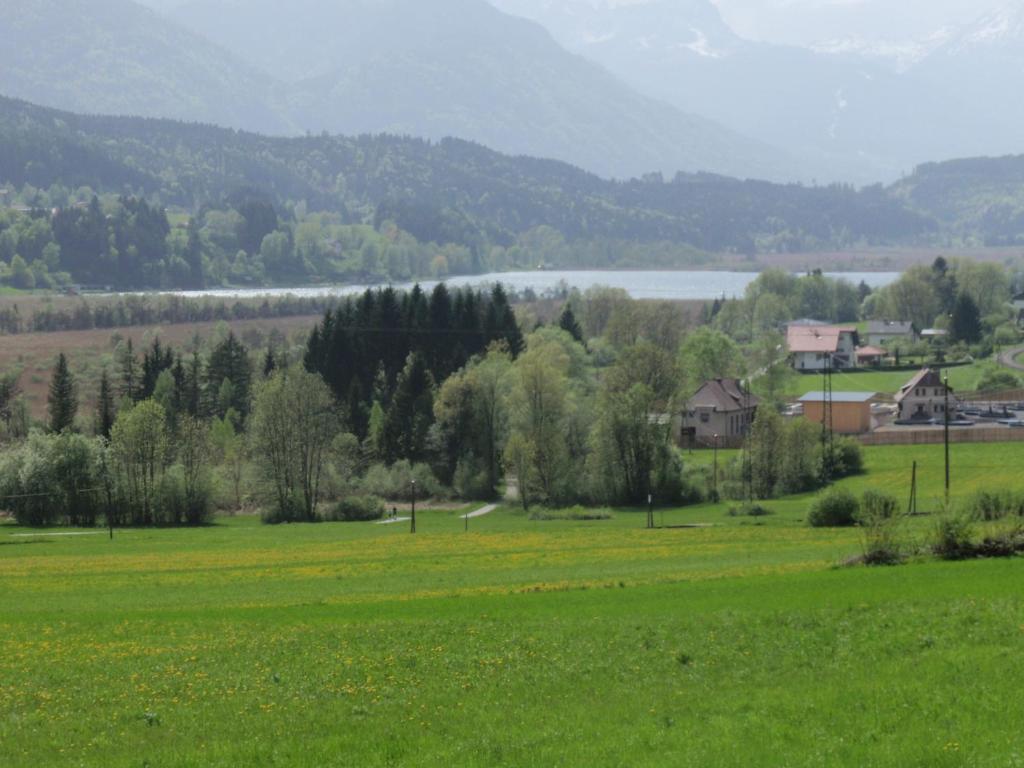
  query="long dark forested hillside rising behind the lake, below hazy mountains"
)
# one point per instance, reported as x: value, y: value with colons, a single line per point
x: 490, y: 210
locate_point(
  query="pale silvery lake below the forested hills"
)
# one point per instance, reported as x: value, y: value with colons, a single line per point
x: 655, y: 284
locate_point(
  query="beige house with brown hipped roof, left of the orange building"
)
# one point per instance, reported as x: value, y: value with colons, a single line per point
x: 720, y: 408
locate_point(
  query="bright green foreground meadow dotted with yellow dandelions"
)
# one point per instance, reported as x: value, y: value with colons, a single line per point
x: 521, y: 644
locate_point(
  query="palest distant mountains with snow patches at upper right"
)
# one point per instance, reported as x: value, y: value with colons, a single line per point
x: 850, y: 116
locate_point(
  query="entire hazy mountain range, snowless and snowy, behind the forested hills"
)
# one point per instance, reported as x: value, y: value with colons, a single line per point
x: 618, y: 89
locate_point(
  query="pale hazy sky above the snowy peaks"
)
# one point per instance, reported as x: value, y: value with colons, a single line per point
x: 802, y: 22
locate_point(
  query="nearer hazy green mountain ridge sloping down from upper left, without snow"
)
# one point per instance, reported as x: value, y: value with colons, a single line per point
x: 449, y: 68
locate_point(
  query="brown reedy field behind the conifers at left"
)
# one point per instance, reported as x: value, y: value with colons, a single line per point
x: 91, y: 352
